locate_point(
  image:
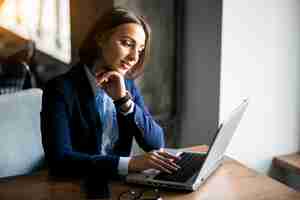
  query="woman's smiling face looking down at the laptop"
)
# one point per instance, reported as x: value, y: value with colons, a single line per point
x: 121, y: 50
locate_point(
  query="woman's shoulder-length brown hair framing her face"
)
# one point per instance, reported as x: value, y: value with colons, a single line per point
x: 90, y: 51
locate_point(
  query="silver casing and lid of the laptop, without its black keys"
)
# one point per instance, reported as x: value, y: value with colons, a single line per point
x: 213, y: 158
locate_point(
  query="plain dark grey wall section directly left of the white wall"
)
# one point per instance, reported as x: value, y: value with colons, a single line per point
x: 199, y: 66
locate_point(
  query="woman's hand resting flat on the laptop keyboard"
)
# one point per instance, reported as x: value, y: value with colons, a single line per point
x: 157, y: 159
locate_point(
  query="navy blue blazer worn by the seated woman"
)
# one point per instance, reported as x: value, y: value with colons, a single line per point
x: 70, y: 125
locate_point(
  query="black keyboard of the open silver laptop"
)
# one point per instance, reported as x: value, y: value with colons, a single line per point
x: 189, y: 163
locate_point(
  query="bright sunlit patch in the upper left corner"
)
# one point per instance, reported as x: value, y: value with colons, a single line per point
x: 47, y: 22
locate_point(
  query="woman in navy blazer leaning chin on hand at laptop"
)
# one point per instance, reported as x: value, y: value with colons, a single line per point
x: 91, y: 114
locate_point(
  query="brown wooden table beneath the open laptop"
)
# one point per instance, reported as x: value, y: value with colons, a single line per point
x: 231, y: 181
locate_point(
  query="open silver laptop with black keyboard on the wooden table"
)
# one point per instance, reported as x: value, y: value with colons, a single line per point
x: 195, y: 167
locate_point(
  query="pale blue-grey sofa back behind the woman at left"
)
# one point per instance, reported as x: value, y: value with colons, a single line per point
x: 21, y: 150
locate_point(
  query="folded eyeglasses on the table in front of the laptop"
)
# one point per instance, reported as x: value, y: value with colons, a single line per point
x: 140, y: 195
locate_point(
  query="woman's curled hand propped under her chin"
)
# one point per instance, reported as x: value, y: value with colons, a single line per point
x: 113, y: 83
